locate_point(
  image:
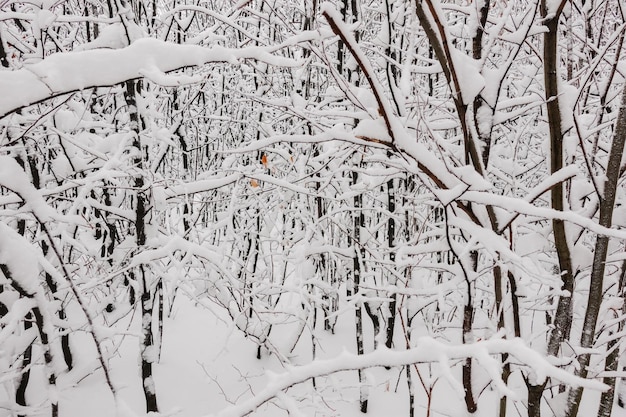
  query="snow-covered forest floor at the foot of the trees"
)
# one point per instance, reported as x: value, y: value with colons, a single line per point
x: 207, y: 366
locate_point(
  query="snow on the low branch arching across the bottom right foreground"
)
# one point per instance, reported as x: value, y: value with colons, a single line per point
x: 427, y: 350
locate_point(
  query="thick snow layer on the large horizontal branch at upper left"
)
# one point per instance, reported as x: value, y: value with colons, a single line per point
x: 66, y: 72
